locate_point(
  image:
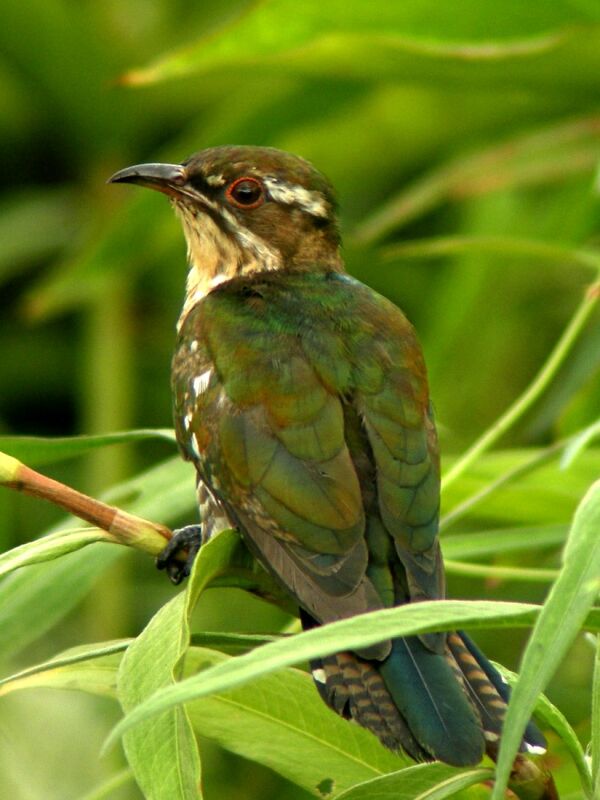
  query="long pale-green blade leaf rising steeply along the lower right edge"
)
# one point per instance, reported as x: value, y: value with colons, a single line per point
x: 561, y: 618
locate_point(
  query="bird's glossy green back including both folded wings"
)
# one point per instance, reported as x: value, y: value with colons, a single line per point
x: 312, y: 429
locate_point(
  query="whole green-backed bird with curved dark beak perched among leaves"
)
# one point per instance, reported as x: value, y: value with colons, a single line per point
x: 301, y: 398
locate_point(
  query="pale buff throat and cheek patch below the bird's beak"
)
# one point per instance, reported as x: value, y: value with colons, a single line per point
x: 215, y: 257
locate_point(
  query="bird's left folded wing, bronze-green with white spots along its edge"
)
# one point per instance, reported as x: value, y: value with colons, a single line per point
x: 267, y: 436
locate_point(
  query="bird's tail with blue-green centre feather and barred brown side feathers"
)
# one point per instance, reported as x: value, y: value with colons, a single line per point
x: 448, y: 707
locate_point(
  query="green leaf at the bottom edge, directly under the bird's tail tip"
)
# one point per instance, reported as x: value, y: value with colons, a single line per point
x: 422, y: 782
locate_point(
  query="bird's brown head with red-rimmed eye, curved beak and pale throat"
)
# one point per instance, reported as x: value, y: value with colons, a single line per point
x: 245, y: 210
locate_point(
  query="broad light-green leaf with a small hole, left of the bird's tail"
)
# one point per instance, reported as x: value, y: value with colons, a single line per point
x: 281, y: 722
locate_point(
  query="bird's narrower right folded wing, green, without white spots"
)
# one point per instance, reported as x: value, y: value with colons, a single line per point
x: 397, y: 416
